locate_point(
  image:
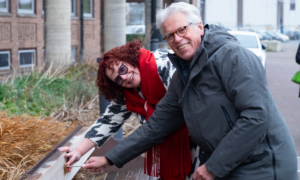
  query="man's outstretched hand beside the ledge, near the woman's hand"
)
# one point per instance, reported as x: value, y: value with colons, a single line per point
x: 96, y: 164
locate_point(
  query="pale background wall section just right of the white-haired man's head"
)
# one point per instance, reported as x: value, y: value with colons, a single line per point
x: 221, y: 13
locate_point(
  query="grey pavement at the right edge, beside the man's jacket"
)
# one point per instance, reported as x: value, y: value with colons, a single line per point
x: 280, y: 68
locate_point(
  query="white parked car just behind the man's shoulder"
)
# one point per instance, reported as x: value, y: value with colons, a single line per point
x: 251, y: 41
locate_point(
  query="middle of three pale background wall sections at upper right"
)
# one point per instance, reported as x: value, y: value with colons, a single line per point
x: 260, y: 15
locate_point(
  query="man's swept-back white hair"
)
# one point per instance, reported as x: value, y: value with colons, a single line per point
x: 191, y: 12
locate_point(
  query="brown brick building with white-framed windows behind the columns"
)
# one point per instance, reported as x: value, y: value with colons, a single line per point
x: 22, y: 33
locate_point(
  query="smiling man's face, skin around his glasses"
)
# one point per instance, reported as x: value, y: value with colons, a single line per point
x: 186, y: 46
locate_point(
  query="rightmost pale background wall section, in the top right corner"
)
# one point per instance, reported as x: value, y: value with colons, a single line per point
x: 291, y: 18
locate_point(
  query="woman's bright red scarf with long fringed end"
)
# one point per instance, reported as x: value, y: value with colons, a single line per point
x: 172, y: 158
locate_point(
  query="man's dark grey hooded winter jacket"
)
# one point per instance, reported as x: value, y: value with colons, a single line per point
x: 229, y: 111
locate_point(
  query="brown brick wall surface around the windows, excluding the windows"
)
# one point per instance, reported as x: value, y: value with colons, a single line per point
x: 26, y: 31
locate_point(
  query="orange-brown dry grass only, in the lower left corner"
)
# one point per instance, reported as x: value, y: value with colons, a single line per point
x: 25, y: 140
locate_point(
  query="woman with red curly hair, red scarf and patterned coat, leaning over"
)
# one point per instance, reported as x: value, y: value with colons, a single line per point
x: 134, y: 80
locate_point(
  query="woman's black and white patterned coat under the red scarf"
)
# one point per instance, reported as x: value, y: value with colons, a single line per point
x: 116, y: 113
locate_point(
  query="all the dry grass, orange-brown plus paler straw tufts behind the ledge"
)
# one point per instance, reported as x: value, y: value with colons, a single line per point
x: 24, y: 140
